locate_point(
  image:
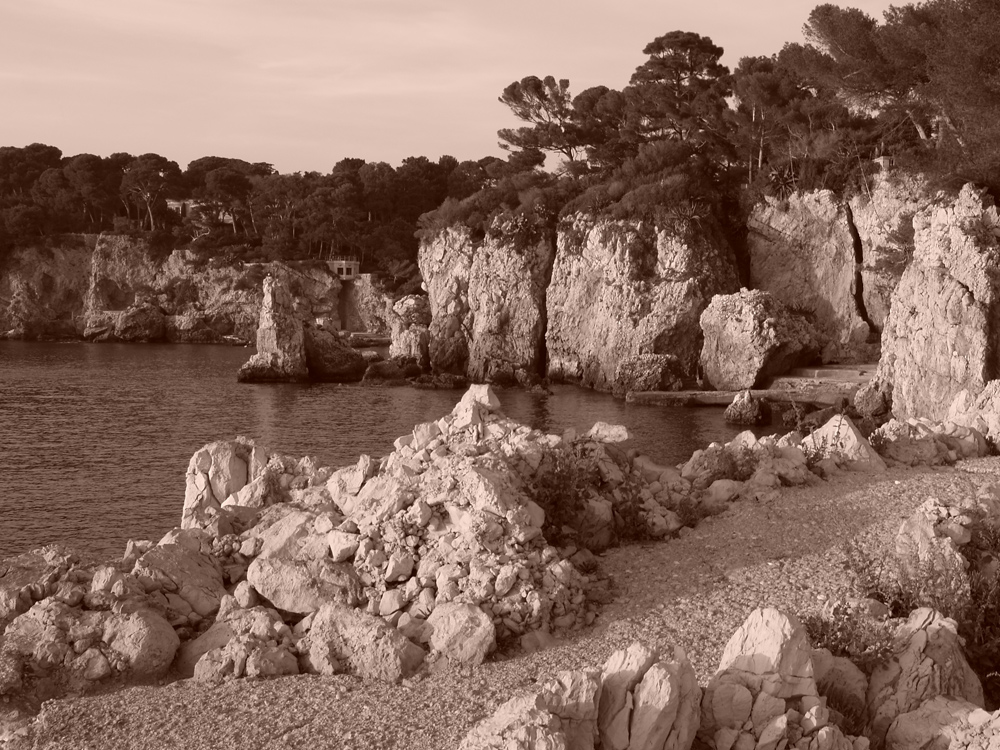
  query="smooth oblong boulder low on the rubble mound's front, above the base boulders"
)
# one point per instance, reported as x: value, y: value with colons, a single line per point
x: 303, y: 587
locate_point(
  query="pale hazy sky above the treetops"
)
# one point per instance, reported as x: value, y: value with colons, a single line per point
x: 301, y: 84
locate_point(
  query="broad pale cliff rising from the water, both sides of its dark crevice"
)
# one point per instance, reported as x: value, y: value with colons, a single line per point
x: 514, y: 307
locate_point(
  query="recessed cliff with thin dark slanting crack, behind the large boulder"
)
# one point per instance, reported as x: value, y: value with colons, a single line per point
x: 837, y: 260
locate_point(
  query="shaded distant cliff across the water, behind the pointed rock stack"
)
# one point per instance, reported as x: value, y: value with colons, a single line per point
x: 118, y: 288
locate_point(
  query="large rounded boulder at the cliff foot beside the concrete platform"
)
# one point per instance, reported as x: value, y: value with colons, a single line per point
x: 751, y: 337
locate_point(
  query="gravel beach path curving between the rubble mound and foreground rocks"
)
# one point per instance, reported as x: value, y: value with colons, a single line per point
x: 693, y: 591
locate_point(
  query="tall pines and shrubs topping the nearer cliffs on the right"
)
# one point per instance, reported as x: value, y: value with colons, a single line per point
x: 687, y: 136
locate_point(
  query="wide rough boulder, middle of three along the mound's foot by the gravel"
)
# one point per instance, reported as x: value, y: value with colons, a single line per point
x: 374, y: 649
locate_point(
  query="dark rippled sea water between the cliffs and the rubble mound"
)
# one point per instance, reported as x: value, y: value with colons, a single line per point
x: 95, y: 439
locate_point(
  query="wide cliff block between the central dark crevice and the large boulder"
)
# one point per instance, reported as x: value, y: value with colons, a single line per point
x: 621, y: 289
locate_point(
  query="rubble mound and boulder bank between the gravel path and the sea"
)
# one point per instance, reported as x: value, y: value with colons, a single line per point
x: 416, y: 565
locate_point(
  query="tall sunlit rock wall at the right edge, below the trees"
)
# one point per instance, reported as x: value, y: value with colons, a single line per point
x: 939, y: 336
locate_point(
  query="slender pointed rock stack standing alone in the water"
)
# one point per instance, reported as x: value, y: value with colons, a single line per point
x: 281, y: 350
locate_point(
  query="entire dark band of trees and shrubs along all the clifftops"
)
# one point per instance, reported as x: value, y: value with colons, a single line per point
x: 686, y: 139
